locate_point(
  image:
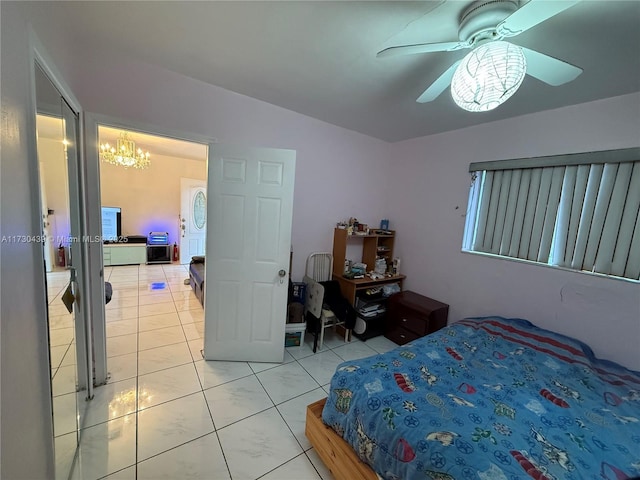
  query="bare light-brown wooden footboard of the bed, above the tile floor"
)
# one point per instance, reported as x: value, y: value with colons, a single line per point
x: 337, y: 455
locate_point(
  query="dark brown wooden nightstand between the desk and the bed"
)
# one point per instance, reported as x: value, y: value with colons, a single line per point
x: 411, y: 316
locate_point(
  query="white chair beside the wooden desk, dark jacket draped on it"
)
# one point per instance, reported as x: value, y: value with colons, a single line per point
x: 319, y: 268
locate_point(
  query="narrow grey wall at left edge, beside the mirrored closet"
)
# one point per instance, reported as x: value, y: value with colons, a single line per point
x: 27, y: 432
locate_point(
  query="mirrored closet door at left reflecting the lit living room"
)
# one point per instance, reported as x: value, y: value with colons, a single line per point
x: 58, y: 161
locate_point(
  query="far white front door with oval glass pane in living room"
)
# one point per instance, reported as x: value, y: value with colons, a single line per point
x: 193, y: 218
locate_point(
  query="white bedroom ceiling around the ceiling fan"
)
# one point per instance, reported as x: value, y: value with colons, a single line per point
x: 318, y: 58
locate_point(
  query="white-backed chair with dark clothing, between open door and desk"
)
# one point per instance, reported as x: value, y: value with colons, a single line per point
x: 318, y: 271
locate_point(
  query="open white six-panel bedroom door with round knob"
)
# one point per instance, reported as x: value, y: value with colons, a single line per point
x: 250, y: 208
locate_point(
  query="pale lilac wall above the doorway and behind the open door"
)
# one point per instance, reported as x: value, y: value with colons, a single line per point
x: 339, y: 173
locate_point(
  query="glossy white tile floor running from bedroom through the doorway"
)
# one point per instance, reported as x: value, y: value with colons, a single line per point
x: 168, y: 414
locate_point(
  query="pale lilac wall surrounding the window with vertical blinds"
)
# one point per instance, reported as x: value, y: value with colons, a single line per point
x: 428, y: 200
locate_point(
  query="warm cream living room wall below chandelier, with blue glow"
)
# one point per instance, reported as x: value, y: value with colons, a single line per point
x: 149, y: 198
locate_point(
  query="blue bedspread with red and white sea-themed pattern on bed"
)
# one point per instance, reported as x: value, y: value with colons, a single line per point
x: 490, y: 399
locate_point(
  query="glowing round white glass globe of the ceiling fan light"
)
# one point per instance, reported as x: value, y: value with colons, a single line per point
x: 488, y: 76
